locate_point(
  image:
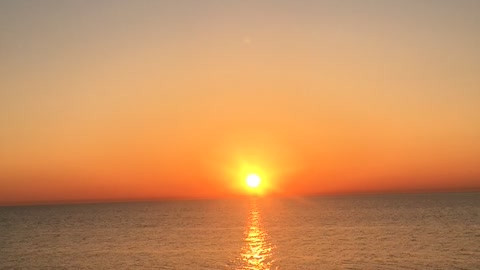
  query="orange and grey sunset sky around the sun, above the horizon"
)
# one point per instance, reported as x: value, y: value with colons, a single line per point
x: 113, y: 100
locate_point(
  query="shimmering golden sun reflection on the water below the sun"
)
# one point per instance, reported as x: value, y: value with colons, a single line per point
x: 257, y: 253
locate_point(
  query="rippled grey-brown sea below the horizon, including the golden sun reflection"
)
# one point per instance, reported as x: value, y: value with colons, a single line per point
x: 440, y: 231
